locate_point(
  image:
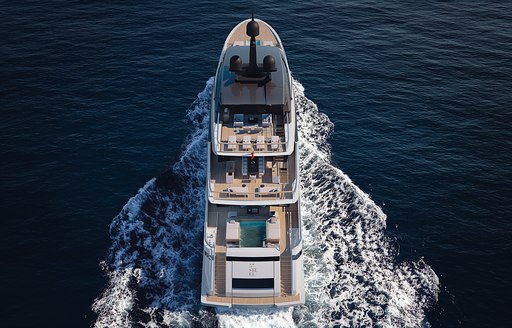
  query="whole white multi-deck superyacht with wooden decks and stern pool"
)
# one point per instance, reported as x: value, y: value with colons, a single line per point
x: 252, y: 246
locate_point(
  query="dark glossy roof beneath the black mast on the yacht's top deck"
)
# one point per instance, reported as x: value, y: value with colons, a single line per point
x: 237, y: 90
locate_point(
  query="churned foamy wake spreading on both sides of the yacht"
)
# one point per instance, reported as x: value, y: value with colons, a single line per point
x: 351, y: 274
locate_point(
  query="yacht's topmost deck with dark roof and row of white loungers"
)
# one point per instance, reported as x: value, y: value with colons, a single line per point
x: 252, y: 114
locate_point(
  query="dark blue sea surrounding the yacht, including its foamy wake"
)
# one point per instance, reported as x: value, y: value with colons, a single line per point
x: 404, y: 111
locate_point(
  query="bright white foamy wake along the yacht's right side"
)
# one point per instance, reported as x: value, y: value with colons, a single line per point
x: 352, y: 278
